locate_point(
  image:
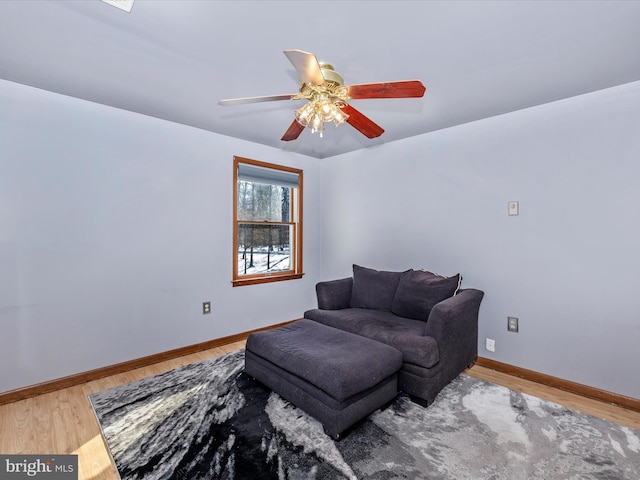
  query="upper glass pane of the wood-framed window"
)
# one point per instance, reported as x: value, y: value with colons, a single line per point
x: 262, y: 202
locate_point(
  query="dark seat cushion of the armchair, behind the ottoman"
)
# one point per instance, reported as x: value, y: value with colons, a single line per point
x: 404, y: 334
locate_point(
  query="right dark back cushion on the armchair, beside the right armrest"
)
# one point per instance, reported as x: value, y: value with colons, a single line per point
x: 419, y: 291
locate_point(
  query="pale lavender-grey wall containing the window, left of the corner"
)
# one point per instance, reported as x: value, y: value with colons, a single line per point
x: 114, y: 228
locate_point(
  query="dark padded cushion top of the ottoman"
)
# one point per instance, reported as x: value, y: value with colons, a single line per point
x: 337, y: 362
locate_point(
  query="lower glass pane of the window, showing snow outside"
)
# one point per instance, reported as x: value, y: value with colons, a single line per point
x: 264, y: 248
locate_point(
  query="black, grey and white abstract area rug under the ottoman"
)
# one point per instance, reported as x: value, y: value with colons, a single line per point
x: 209, y: 420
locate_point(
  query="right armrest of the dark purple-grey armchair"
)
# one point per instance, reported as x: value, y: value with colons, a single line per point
x: 454, y: 324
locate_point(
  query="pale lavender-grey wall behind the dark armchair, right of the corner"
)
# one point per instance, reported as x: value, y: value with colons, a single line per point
x: 567, y: 266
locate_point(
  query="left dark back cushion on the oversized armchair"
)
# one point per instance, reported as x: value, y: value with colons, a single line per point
x: 373, y: 289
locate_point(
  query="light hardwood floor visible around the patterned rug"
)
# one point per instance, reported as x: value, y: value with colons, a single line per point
x: 63, y: 421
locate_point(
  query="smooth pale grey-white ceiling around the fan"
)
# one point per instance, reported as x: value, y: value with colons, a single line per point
x: 175, y: 59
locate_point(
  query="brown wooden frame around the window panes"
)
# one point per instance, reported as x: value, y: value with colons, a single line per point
x: 296, y: 206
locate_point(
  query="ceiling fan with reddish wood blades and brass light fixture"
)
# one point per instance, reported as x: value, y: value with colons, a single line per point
x: 327, y: 97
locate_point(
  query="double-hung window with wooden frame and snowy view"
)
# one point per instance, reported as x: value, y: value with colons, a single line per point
x: 267, y: 226
